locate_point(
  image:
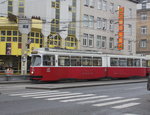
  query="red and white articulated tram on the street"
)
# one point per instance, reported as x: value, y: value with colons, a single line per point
x: 57, y: 64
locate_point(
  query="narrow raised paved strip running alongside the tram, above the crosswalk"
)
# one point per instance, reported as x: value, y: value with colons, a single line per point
x: 54, y: 86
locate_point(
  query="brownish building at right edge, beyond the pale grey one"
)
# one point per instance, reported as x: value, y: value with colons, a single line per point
x: 143, y: 25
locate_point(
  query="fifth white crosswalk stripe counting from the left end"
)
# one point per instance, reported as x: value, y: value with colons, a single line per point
x: 79, y: 99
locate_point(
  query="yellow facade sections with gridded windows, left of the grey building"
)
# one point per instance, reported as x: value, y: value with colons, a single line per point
x: 11, y: 42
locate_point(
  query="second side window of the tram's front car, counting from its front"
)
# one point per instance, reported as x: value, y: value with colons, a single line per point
x: 64, y: 60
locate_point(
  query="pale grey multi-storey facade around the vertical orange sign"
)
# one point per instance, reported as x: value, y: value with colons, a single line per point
x: 101, y: 32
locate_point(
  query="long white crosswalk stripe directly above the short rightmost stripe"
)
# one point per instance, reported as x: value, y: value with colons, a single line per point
x: 115, y: 102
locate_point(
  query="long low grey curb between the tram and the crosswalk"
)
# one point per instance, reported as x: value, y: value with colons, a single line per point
x: 66, y: 86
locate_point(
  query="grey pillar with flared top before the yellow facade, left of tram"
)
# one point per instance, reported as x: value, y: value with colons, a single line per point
x: 24, y: 28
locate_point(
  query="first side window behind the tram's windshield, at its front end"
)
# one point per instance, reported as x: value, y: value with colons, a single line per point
x: 48, y: 60
